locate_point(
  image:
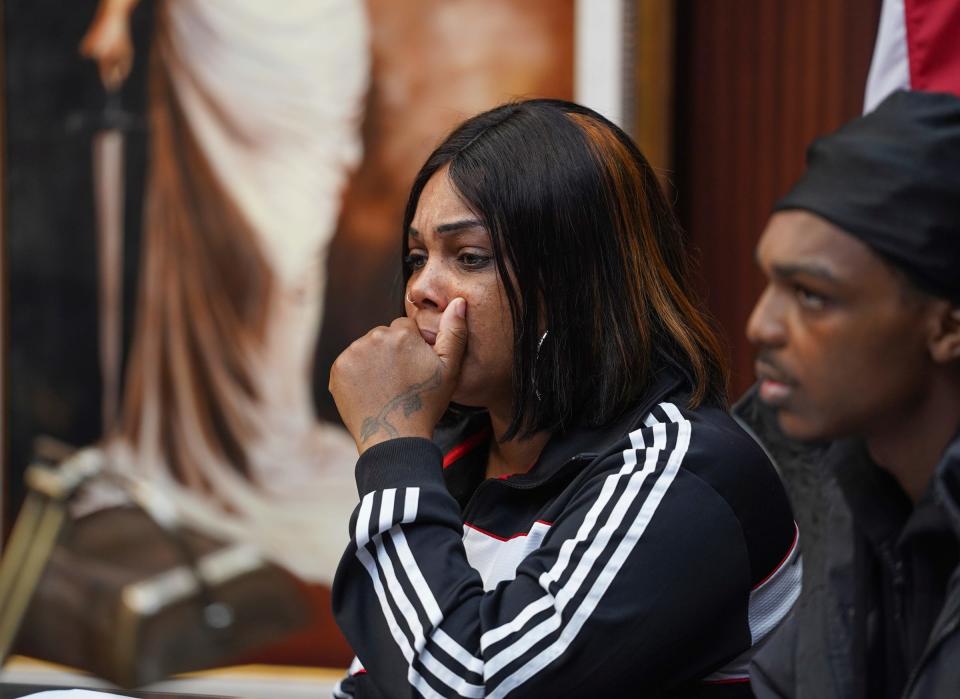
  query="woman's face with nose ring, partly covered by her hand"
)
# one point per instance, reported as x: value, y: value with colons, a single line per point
x: 450, y: 255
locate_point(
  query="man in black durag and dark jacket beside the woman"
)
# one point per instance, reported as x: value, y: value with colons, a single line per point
x: 858, y: 338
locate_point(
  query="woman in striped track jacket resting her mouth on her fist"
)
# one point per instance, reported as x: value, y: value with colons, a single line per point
x: 588, y: 518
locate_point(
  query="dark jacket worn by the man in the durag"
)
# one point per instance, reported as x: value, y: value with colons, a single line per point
x: 852, y: 627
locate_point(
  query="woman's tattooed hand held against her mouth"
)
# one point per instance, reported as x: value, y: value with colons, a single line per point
x: 391, y: 383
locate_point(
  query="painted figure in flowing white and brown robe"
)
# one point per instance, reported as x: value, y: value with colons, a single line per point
x: 254, y: 116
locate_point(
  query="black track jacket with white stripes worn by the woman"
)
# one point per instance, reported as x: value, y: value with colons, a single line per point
x: 646, y: 558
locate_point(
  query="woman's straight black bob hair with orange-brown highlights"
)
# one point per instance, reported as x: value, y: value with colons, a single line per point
x: 587, y: 248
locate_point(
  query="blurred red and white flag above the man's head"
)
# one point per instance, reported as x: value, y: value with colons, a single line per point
x: 918, y: 48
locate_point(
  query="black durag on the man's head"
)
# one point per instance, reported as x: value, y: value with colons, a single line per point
x: 891, y: 178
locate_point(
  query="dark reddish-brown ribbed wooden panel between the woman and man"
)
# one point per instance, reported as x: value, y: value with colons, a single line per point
x: 757, y: 80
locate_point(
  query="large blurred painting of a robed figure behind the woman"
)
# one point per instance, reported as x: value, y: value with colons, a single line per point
x: 202, y: 209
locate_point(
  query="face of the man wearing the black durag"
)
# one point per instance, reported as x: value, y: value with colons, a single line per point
x: 841, y: 340
